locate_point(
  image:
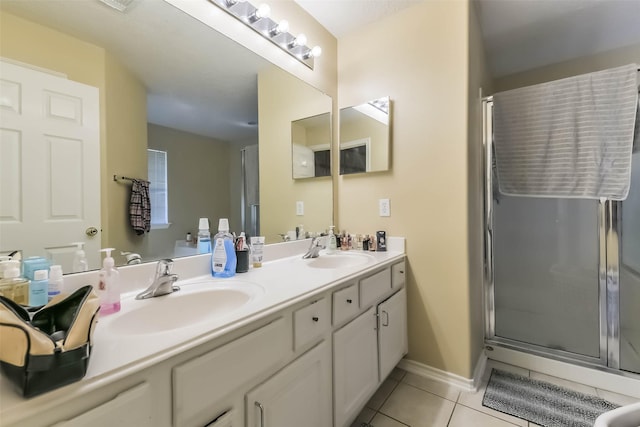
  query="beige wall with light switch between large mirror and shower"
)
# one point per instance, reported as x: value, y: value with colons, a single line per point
x: 420, y: 58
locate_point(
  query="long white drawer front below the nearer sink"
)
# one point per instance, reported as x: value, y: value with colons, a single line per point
x: 202, y: 385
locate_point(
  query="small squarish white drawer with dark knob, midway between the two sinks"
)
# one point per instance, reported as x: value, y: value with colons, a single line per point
x: 310, y: 323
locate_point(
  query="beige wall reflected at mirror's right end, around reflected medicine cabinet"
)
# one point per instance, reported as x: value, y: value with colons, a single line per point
x: 282, y: 99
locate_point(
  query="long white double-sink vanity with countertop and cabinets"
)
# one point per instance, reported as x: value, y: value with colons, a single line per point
x: 296, y: 342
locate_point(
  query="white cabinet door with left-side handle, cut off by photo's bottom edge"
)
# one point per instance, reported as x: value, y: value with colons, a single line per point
x: 298, y: 395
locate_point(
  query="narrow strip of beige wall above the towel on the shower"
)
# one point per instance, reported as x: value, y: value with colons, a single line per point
x: 586, y: 64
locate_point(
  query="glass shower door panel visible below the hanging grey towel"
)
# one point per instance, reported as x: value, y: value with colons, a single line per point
x: 546, y: 273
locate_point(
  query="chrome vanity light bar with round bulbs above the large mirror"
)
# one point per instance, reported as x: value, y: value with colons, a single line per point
x: 258, y: 19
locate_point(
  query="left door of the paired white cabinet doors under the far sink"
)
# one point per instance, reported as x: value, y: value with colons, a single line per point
x: 355, y: 366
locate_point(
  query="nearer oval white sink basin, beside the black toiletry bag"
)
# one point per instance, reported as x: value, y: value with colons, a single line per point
x: 193, y: 304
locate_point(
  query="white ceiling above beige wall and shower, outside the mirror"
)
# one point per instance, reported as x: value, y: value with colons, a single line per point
x: 518, y: 34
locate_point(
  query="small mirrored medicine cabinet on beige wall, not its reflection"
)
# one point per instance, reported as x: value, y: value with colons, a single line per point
x: 365, y: 133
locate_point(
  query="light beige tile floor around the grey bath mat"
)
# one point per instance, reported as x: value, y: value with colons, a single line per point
x: 406, y: 399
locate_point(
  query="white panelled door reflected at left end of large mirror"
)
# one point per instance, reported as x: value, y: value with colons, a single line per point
x: 49, y: 165
